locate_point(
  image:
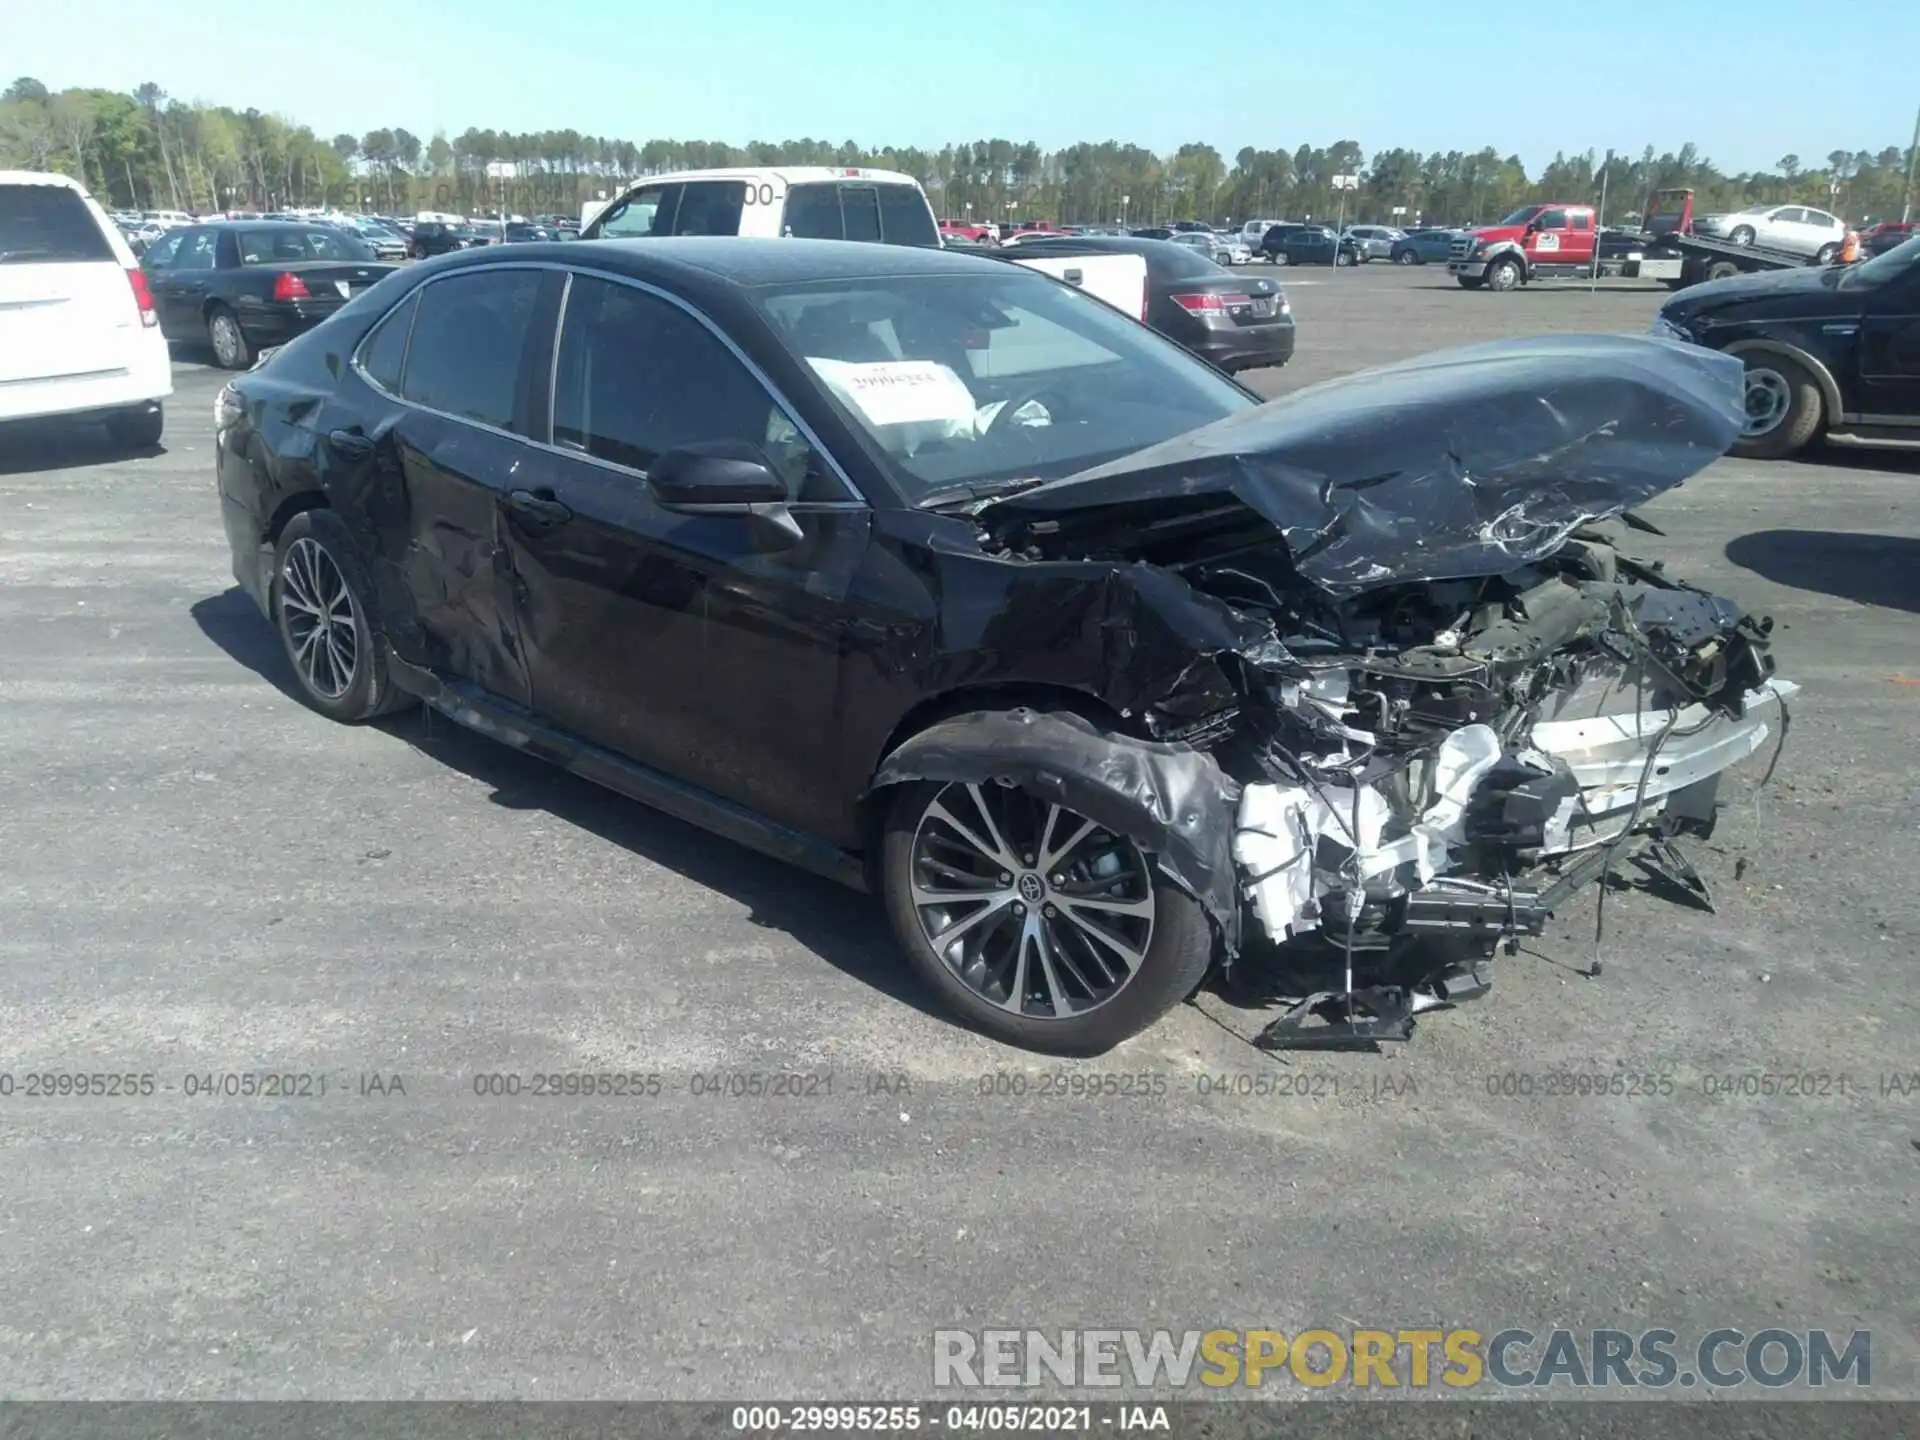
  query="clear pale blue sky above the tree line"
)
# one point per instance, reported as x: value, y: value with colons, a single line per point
x: 1767, y: 78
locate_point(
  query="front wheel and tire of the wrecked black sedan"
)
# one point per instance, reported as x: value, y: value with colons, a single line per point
x: 1034, y: 924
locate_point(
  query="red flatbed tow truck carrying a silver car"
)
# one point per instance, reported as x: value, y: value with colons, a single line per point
x: 1564, y: 243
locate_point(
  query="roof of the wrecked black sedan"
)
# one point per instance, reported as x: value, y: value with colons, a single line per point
x: 738, y: 260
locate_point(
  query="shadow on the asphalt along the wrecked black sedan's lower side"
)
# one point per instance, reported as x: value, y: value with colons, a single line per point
x: 844, y: 928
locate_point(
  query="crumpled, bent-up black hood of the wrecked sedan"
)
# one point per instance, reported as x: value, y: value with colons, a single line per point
x: 1468, y: 462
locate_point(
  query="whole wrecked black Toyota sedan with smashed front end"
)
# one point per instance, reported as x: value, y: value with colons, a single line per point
x: 946, y: 581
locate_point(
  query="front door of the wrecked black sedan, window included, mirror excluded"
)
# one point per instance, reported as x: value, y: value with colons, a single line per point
x: 683, y: 640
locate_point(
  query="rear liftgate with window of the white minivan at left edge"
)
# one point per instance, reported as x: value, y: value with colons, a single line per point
x: 66, y: 302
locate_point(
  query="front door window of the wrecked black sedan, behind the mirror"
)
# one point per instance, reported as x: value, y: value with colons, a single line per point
x: 636, y: 377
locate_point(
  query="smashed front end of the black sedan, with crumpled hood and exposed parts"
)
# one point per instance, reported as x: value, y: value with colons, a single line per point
x: 1452, y: 702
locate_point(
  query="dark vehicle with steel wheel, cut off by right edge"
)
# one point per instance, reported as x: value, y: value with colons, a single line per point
x: 1829, y: 350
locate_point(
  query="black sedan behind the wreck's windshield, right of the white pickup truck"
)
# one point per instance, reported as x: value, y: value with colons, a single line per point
x: 1224, y: 318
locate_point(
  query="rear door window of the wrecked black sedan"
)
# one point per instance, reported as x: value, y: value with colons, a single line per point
x: 468, y: 341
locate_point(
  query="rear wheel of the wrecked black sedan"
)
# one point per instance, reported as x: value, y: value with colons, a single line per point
x: 320, y: 604
